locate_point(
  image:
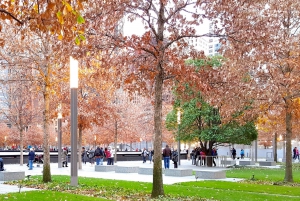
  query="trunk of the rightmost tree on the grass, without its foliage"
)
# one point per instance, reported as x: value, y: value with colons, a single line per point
x: 288, y: 121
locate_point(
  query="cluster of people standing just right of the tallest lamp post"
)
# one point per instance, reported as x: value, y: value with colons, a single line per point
x: 98, y: 155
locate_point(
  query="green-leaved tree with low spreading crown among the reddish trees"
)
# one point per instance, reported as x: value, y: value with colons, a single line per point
x: 202, y: 122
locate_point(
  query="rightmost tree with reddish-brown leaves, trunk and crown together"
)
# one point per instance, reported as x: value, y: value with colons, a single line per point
x: 263, y: 39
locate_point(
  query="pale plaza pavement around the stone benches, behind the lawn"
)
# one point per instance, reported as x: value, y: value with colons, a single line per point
x: 88, y: 170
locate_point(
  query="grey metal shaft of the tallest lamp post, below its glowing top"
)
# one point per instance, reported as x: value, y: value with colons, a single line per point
x: 74, y: 125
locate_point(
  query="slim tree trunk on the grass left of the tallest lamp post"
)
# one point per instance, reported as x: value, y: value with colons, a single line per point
x: 46, y: 118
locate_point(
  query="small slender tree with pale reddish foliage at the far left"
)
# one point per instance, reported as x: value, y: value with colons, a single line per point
x: 18, y: 101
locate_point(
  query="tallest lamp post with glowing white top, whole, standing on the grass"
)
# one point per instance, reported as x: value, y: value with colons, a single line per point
x: 74, y: 123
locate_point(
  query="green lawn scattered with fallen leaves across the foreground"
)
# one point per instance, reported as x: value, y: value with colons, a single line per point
x: 267, y: 185
